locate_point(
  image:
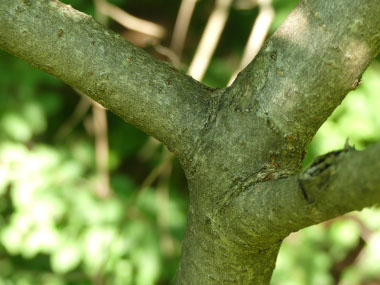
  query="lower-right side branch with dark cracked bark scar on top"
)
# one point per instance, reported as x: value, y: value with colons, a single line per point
x: 335, y: 184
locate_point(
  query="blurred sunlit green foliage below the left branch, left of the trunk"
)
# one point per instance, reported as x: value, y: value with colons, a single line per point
x: 53, y: 227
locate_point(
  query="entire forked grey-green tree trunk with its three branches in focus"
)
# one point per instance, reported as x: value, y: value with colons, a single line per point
x: 241, y: 147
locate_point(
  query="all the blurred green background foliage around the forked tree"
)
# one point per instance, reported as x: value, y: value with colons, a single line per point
x: 54, y: 229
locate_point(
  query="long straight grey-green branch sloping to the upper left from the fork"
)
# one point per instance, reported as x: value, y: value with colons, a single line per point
x: 73, y: 47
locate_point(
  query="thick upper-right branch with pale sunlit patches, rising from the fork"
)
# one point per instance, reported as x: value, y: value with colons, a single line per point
x: 310, y: 63
